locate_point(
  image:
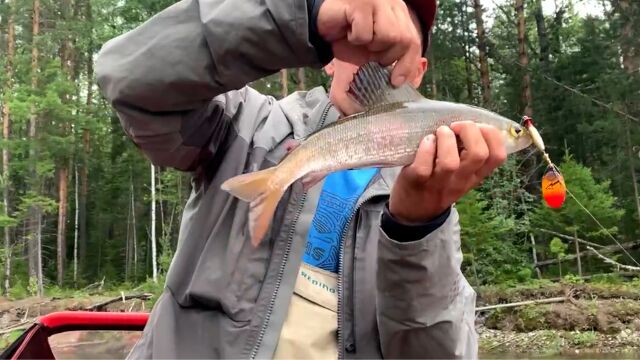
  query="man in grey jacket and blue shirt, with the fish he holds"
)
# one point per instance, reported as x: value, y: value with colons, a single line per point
x: 361, y: 257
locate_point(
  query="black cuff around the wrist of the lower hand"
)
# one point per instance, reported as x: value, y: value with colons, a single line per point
x: 407, y: 233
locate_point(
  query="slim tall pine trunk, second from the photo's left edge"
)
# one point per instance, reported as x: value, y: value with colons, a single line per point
x: 35, y: 230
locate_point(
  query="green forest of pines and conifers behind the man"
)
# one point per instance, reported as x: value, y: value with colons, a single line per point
x: 81, y: 206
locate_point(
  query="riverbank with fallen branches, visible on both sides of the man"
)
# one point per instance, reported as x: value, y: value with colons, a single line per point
x: 596, y: 320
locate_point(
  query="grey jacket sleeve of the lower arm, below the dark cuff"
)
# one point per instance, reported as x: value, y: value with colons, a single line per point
x: 426, y: 308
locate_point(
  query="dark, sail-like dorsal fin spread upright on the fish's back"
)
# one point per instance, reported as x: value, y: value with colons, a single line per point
x: 371, y: 86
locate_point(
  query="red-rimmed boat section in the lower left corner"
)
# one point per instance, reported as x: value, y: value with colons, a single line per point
x: 109, y: 334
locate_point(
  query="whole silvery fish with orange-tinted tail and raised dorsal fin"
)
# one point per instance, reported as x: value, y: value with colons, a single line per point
x: 386, y: 133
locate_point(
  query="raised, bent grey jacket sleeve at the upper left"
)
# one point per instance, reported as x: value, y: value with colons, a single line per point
x: 173, y: 78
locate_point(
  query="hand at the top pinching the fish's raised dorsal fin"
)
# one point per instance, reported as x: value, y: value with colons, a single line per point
x: 372, y: 30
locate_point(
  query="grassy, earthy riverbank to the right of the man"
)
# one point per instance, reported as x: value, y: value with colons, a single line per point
x: 595, y: 321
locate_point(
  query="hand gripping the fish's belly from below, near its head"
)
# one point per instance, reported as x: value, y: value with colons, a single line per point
x: 440, y: 175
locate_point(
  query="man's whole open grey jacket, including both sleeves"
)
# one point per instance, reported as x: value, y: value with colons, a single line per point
x: 179, y: 86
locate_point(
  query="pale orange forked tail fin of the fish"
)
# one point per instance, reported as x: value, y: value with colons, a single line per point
x: 256, y: 189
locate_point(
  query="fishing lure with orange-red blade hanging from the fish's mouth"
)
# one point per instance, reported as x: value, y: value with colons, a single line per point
x: 554, y: 190
